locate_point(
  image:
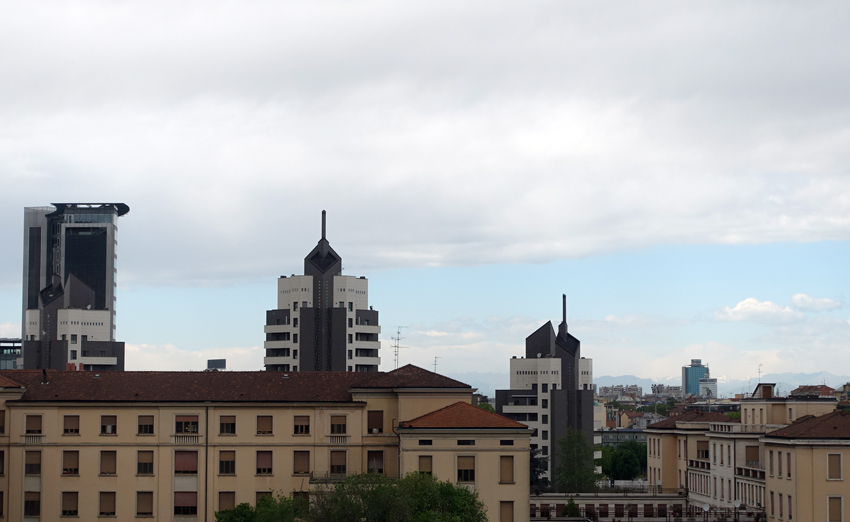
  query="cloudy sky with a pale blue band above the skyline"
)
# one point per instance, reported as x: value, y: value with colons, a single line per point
x: 680, y: 171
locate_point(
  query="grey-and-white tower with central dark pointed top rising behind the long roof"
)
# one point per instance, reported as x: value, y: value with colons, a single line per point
x: 323, y: 320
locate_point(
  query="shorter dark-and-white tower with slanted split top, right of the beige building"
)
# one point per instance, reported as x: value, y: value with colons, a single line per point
x: 549, y: 391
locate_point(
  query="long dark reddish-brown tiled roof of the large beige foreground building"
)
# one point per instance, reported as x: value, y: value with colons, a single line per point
x: 207, y: 386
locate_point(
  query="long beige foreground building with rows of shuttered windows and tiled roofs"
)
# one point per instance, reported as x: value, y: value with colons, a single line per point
x: 182, y: 445
